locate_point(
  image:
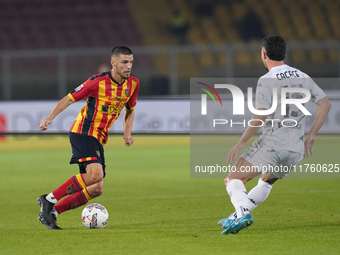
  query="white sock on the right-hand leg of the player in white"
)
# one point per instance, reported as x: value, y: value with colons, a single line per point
x: 258, y: 194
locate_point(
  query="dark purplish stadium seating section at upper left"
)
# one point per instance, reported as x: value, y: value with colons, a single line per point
x: 38, y: 24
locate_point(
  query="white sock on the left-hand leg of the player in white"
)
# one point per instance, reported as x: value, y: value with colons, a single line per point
x: 238, y: 196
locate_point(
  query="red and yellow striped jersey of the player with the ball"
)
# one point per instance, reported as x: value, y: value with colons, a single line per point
x: 105, y: 100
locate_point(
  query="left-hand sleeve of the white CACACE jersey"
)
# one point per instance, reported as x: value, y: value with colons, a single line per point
x: 264, y: 94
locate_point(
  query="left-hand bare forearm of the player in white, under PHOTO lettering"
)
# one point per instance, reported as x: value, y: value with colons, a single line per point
x: 257, y: 122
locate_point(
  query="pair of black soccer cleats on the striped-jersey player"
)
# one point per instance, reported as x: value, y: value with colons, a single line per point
x: 45, y: 216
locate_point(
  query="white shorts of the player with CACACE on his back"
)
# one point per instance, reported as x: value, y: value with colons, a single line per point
x: 266, y: 159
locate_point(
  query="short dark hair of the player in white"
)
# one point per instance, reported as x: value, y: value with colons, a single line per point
x: 275, y: 47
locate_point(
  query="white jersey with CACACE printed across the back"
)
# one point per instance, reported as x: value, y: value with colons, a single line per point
x: 285, y: 131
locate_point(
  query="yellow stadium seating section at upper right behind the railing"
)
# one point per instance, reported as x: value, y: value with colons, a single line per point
x: 295, y: 20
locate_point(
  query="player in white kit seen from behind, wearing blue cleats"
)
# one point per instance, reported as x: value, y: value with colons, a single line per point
x: 281, y: 145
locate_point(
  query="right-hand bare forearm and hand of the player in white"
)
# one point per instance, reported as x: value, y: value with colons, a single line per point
x: 320, y: 117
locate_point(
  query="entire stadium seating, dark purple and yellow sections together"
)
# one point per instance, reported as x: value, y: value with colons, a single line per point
x: 38, y: 24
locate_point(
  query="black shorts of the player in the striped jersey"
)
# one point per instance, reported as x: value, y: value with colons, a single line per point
x: 86, y: 150
